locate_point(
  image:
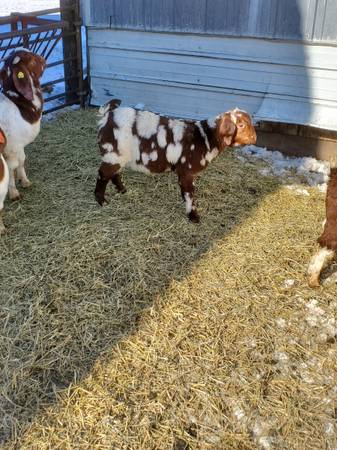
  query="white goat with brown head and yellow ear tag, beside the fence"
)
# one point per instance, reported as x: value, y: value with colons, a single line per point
x: 21, y: 104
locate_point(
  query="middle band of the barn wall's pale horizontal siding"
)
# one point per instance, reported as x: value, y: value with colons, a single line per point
x: 257, y: 77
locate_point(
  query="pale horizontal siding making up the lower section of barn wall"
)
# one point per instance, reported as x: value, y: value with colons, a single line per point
x: 197, y: 76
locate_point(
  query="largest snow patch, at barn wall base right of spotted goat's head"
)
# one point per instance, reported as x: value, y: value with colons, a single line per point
x: 314, y: 172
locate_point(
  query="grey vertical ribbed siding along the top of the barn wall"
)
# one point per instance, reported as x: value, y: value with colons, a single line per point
x: 310, y: 20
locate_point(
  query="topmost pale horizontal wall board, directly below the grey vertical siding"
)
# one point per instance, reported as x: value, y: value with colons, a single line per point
x: 258, y: 50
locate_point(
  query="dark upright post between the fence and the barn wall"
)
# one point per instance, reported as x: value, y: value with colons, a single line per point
x: 72, y: 51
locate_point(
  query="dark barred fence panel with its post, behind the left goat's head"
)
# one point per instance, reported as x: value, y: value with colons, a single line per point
x: 41, y: 35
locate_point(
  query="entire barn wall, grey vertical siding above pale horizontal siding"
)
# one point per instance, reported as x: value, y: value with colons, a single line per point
x: 193, y: 58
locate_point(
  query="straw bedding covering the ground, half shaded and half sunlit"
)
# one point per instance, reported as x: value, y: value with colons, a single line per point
x: 129, y: 328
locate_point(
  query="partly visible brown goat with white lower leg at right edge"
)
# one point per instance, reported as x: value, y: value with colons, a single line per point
x: 328, y: 240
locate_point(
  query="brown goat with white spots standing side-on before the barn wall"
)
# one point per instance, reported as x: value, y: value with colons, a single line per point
x: 150, y: 143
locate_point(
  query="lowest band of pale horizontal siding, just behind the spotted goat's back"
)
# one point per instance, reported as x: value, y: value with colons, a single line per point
x: 199, y: 104
